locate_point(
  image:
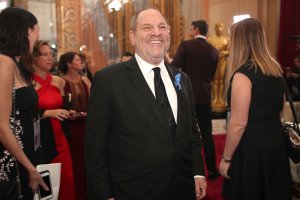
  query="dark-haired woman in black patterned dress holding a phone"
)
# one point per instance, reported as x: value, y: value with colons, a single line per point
x: 18, y: 33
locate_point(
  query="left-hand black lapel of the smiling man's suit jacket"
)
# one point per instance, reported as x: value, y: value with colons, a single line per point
x: 142, y: 87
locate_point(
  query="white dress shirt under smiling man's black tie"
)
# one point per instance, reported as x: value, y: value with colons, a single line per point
x: 148, y: 73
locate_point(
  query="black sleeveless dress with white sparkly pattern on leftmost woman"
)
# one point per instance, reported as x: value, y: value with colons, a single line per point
x: 26, y: 100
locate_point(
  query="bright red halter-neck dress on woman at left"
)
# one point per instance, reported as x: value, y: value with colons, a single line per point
x: 50, y: 98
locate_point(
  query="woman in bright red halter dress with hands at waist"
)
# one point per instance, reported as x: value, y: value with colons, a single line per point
x: 50, y: 90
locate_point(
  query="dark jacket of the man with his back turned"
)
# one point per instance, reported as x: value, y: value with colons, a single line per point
x: 199, y: 60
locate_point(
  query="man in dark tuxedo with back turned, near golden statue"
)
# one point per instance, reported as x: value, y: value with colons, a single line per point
x: 199, y: 60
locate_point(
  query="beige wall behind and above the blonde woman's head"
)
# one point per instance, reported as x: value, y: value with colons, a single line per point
x: 267, y: 11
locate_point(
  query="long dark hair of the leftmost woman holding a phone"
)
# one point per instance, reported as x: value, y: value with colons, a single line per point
x: 14, y: 24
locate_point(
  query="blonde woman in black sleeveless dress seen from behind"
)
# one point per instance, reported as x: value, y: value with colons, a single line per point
x: 255, y: 163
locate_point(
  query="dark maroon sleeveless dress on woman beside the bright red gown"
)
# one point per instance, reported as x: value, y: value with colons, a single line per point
x: 79, y: 93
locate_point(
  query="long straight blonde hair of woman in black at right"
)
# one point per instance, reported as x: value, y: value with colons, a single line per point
x: 248, y: 42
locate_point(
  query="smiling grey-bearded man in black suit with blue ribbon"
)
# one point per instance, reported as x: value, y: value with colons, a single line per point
x: 139, y: 146
